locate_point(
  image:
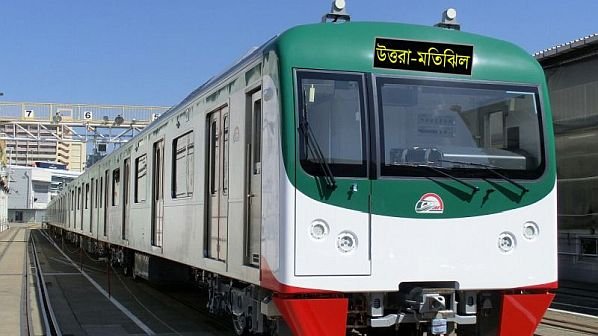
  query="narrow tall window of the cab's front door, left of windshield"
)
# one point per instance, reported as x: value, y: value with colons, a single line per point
x: 332, y: 119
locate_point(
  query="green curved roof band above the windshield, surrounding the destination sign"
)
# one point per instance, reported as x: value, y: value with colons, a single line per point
x: 350, y: 46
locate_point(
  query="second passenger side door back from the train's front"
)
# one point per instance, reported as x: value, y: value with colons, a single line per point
x: 158, y: 193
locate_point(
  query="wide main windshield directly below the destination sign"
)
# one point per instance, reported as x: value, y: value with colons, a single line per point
x: 473, y: 130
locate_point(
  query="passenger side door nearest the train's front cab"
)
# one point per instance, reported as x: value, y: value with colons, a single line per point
x: 217, y: 183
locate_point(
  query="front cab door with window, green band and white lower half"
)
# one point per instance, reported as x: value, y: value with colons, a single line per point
x: 332, y: 229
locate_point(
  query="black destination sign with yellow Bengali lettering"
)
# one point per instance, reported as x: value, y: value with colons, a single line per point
x: 423, y: 56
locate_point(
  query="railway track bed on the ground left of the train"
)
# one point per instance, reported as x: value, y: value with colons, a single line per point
x: 72, y: 273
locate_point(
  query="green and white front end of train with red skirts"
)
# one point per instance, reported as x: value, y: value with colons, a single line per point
x: 416, y: 182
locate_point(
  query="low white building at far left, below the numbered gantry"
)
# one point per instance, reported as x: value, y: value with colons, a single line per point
x: 31, y: 189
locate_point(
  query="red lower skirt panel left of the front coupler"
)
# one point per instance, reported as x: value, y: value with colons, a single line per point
x: 321, y: 317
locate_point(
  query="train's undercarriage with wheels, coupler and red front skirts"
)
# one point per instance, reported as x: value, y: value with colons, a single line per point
x: 415, y: 309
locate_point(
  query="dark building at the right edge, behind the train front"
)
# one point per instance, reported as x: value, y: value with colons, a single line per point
x: 572, y: 74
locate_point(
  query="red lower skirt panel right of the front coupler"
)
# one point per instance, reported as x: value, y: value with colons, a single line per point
x: 521, y: 313
